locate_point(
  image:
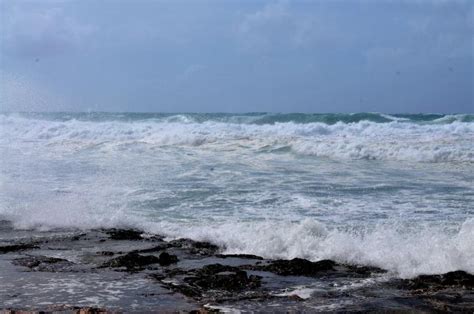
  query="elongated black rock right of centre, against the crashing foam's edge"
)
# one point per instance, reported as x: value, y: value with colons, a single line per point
x: 296, y: 267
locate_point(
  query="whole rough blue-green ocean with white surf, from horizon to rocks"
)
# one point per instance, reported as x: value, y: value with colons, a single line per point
x: 392, y: 191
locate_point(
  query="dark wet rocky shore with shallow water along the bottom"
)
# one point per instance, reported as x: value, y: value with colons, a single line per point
x: 114, y: 270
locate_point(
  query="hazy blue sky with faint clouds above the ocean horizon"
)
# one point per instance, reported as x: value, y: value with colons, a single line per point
x: 393, y: 56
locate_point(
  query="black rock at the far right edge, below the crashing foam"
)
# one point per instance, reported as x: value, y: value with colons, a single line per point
x: 454, y: 279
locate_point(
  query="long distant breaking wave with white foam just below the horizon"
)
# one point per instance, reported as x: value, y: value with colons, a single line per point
x: 437, y: 139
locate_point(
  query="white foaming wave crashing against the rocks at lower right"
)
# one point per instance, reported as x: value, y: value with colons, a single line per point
x: 404, y: 252
